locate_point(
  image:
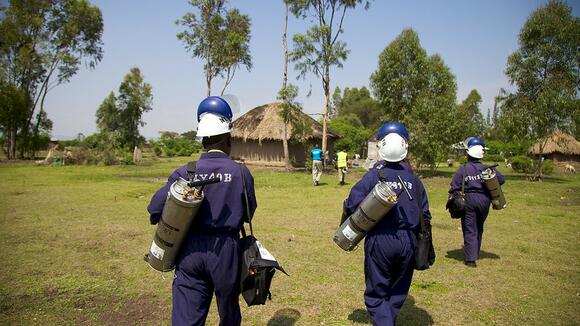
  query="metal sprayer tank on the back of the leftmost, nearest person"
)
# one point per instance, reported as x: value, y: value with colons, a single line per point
x: 181, y: 206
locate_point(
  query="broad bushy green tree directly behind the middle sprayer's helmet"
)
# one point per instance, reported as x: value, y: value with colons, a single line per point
x: 420, y: 92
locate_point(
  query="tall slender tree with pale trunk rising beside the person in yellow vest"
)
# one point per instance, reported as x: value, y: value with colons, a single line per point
x: 320, y: 49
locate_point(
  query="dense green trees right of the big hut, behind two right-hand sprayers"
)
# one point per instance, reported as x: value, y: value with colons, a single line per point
x: 419, y: 90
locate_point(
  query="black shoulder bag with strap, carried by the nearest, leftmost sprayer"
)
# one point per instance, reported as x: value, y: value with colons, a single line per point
x: 258, y: 265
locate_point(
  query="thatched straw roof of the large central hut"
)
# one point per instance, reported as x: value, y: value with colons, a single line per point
x: 264, y: 123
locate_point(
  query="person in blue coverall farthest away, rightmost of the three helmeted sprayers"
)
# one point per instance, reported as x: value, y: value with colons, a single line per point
x: 477, y: 198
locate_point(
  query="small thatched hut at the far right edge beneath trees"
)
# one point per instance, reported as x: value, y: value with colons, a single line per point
x: 560, y: 146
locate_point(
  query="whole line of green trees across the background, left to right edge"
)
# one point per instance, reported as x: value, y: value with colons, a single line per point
x: 43, y: 43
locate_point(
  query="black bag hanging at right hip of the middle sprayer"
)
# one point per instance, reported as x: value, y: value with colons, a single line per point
x: 424, y: 251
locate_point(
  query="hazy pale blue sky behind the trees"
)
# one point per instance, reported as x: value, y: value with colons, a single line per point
x: 474, y: 39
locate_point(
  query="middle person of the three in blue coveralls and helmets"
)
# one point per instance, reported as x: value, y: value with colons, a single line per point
x: 390, y: 245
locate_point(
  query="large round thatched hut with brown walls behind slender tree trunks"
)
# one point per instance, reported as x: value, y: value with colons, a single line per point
x: 257, y: 137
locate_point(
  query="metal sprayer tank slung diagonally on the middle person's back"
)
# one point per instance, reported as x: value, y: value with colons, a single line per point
x: 370, y: 212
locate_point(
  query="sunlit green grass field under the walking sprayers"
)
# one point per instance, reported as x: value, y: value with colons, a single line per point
x: 72, y: 240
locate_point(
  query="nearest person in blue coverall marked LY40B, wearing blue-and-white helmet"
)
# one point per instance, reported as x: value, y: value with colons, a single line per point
x: 210, y: 259
